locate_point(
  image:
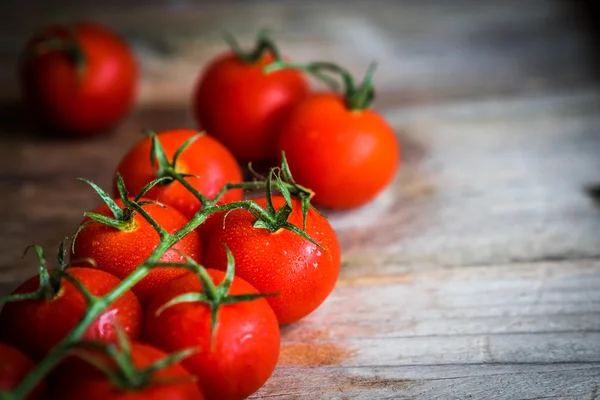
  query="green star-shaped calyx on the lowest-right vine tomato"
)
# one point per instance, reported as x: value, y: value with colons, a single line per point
x: 212, y: 295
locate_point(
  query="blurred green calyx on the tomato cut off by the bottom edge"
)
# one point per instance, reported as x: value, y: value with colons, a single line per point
x: 120, y: 368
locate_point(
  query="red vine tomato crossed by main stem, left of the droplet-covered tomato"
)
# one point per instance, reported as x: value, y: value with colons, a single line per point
x: 121, y: 252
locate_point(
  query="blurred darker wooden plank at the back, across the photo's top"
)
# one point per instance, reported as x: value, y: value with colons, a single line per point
x: 428, y: 51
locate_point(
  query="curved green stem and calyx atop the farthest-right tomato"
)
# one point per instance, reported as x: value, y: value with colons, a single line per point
x: 357, y: 97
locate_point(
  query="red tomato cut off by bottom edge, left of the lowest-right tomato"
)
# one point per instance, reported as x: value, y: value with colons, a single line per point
x: 168, y: 383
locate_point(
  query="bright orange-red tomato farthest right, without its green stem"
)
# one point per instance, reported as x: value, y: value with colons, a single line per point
x: 346, y: 157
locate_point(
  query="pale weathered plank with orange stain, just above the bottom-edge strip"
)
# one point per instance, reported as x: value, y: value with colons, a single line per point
x: 543, y: 312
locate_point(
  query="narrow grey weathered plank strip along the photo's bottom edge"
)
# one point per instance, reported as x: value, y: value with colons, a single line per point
x: 433, y: 382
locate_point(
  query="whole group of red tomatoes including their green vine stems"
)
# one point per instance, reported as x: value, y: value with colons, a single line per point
x: 176, y: 286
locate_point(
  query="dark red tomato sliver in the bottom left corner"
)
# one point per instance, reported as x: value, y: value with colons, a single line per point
x: 14, y: 366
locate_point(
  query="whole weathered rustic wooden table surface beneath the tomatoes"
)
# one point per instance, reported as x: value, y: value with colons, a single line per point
x: 475, y: 276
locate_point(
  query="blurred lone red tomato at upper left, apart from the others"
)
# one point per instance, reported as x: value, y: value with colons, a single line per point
x: 78, y: 80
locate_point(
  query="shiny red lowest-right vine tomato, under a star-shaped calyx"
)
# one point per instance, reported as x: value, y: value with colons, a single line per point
x: 245, y: 348
